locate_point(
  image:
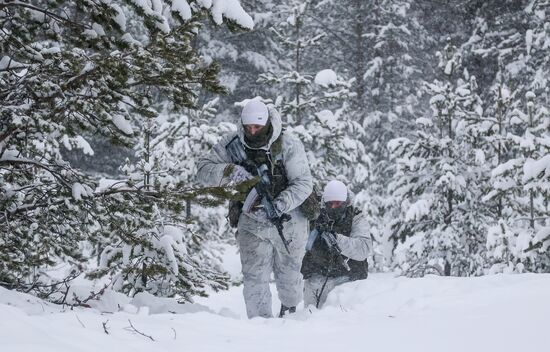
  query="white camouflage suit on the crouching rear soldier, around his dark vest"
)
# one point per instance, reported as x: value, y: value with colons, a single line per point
x: 357, y: 247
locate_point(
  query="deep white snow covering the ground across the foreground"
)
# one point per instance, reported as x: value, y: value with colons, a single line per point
x: 384, y: 313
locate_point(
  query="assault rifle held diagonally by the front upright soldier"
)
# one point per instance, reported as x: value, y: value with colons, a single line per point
x: 236, y: 152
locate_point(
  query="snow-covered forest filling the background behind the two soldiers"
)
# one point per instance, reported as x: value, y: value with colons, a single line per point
x: 435, y: 113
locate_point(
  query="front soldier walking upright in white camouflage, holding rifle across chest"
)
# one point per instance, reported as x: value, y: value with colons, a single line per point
x: 271, y: 229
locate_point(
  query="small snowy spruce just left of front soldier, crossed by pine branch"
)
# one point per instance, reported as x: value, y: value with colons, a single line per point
x: 169, y: 249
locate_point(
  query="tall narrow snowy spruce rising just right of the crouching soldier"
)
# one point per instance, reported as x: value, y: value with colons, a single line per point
x: 396, y: 50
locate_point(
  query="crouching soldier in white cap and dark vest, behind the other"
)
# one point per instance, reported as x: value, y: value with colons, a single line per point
x: 337, y: 248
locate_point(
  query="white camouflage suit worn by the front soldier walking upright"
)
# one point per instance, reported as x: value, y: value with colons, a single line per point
x: 262, y: 250
